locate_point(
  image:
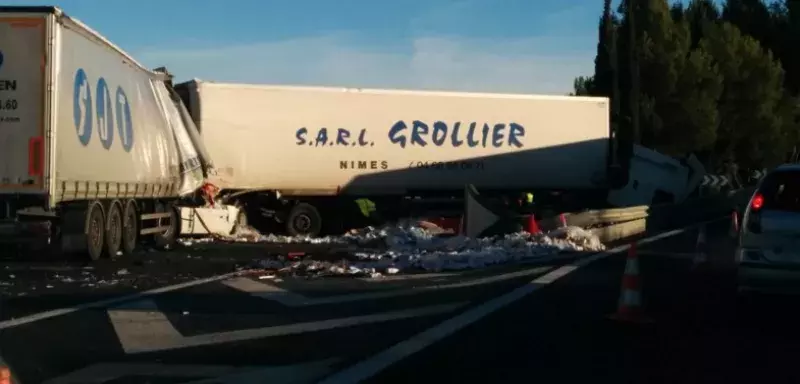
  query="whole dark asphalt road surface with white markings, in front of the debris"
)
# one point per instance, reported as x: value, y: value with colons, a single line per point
x: 292, y: 330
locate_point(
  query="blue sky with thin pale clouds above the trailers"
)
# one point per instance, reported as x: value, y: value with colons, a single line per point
x: 517, y: 46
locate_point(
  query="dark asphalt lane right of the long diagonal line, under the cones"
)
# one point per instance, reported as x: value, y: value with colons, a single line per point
x: 699, y: 332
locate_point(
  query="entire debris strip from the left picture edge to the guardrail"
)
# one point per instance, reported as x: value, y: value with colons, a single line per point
x: 368, y: 252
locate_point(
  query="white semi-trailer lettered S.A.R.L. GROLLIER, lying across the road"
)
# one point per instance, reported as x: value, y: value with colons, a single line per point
x: 299, y: 154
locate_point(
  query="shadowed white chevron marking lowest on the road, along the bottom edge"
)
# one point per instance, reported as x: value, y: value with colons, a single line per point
x: 104, y: 372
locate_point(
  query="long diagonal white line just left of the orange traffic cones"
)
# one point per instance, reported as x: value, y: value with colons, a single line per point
x: 369, y: 367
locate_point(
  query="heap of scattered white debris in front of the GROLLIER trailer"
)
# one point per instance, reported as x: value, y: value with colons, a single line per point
x: 411, y: 247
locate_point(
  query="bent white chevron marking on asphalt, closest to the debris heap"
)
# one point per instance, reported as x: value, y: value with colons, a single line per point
x: 291, y: 299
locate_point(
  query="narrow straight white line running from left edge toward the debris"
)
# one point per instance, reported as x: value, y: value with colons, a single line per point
x: 109, y: 302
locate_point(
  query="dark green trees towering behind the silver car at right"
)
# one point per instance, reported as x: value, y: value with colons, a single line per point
x: 720, y: 81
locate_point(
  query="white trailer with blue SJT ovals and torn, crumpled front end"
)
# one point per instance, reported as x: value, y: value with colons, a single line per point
x: 95, y: 153
